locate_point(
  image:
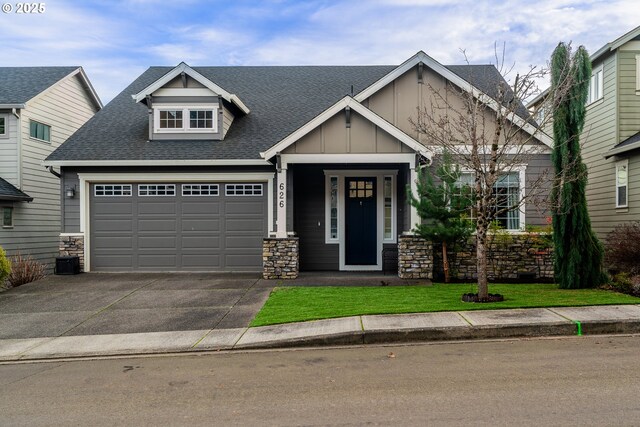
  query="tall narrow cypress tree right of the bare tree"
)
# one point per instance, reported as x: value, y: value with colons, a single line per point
x: 578, y: 253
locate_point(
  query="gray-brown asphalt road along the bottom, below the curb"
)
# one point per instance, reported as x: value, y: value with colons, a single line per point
x: 568, y: 381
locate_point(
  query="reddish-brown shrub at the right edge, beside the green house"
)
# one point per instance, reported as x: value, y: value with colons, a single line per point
x: 622, y: 248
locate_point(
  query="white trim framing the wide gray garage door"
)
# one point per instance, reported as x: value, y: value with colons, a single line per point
x: 86, y: 179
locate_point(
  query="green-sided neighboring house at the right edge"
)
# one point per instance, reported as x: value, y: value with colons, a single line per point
x: 611, y: 136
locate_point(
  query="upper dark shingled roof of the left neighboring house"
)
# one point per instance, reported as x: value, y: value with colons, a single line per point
x: 19, y: 84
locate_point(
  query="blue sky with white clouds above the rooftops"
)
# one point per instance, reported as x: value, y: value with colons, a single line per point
x: 115, y: 41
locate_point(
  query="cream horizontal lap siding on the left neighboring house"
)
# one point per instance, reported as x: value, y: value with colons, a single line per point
x: 65, y: 107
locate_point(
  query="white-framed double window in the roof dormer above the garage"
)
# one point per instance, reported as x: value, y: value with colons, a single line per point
x: 173, y: 119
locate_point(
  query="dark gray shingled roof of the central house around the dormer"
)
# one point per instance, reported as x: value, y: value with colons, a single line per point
x: 281, y: 99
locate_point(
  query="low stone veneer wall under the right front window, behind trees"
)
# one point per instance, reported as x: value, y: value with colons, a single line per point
x: 511, y: 257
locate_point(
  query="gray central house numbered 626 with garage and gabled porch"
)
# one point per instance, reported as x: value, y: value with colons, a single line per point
x: 193, y: 168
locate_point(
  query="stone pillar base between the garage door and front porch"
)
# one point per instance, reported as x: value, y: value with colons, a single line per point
x: 280, y: 258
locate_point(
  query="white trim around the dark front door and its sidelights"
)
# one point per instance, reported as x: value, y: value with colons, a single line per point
x: 341, y: 241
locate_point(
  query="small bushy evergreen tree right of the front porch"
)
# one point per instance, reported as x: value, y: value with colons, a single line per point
x: 442, y: 206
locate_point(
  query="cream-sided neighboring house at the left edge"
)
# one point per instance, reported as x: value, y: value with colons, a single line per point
x: 40, y: 107
